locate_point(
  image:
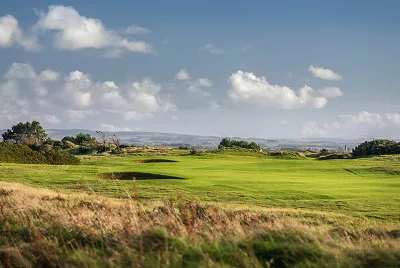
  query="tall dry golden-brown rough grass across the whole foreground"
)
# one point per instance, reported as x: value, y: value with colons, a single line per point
x: 43, y: 228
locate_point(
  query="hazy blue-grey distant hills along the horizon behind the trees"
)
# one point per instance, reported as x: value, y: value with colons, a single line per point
x: 198, y: 141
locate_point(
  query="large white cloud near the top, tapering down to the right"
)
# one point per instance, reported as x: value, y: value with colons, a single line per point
x: 74, y: 32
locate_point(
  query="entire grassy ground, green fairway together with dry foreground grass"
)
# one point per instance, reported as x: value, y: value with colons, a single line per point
x: 272, y: 212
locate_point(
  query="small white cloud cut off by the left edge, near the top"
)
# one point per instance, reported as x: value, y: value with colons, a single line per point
x: 11, y: 33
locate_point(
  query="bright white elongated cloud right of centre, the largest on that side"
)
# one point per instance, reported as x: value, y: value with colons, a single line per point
x: 248, y: 88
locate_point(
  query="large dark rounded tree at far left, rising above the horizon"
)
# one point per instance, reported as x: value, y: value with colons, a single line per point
x: 31, y: 133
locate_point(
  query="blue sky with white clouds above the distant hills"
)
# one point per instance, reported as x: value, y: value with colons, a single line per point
x: 267, y: 69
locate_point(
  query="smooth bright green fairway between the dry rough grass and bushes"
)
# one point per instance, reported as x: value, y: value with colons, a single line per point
x: 362, y: 188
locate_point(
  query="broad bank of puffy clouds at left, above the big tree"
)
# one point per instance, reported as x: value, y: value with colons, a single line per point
x: 76, y: 96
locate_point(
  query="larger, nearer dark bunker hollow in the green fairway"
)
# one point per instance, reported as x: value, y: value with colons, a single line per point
x: 136, y: 176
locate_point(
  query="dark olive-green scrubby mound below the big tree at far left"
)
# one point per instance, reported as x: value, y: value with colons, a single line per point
x: 22, y: 154
